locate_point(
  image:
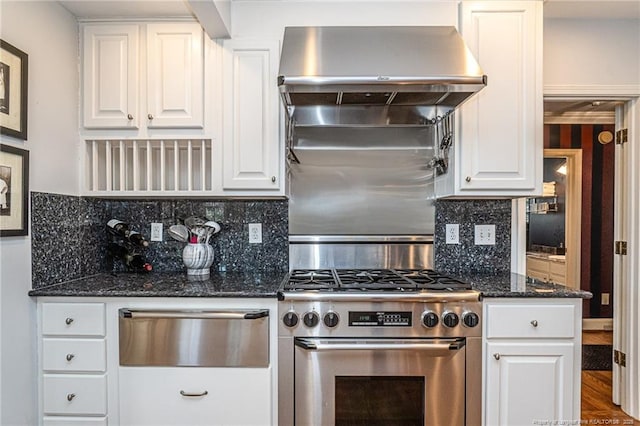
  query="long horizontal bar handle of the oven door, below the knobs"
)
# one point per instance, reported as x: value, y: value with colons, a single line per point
x: 437, y: 348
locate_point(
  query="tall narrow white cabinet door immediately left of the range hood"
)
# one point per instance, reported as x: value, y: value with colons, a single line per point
x: 250, y: 115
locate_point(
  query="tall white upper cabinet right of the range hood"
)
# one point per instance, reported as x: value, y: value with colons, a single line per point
x: 500, y: 137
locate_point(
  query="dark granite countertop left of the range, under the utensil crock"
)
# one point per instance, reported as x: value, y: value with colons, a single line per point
x: 168, y: 284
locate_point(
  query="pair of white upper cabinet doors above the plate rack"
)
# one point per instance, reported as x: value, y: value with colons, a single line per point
x: 163, y: 91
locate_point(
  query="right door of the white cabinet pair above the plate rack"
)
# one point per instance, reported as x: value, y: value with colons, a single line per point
x: 175, y: 76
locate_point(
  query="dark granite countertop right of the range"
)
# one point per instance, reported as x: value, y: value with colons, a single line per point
x: 517, y: 285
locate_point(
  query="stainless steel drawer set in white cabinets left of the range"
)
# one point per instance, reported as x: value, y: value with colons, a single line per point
x: 233, y: 338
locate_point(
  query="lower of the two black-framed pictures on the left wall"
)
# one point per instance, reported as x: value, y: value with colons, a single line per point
x: 14, y: 191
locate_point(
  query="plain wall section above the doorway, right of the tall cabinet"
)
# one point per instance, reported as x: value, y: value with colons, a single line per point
x: 587, y: 52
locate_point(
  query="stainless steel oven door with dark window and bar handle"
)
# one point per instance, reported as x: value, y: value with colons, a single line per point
x: 390, y: 382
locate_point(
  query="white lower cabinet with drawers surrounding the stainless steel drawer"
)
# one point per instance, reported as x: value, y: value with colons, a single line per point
x: 81, y: 381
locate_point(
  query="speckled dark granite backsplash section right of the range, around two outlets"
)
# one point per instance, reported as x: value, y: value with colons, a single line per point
x: 467, y: 257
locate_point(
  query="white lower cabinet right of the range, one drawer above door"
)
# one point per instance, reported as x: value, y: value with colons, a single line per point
x: 532, y: 361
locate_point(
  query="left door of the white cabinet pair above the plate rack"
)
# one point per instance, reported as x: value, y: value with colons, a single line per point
x: 110, y: 76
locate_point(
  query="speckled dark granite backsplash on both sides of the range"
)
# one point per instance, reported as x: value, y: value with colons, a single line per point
x: 69, y: 237
